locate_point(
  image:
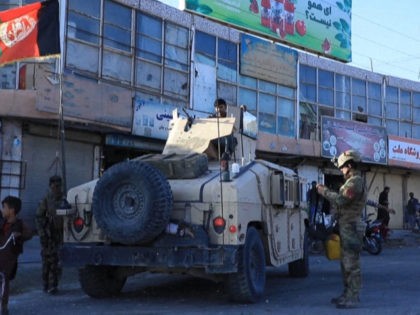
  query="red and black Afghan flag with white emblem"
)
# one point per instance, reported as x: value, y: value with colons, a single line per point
x: 30, y: 31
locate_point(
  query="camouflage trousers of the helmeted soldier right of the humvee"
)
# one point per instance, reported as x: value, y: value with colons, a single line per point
x: 351, y: 245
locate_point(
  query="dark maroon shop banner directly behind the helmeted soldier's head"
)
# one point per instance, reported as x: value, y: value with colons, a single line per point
x: 341, y: 135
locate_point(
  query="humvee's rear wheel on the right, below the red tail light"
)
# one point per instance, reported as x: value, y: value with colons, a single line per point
x: 248, y: 283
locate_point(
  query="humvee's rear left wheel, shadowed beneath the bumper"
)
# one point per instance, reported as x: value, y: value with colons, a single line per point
x: 101, y: 281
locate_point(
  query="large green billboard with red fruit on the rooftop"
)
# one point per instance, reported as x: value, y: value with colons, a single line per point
x: 322, y: 26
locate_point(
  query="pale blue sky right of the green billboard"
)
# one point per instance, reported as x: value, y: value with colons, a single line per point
x: 386, y: 36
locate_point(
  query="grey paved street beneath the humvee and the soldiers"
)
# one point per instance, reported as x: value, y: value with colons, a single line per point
x: 390, y: 286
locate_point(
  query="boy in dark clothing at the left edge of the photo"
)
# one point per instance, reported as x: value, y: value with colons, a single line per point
x: 11, y: 245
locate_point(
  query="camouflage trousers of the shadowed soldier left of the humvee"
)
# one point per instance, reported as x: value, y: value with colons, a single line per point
x: 51, y: 269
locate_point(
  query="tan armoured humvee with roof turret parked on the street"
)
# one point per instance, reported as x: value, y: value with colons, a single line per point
x: 187, y: 210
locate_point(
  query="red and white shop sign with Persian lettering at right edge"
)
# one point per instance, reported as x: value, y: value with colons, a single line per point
x: 404, y: 152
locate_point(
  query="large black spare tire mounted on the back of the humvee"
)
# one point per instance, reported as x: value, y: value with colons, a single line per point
x: 132, y: 202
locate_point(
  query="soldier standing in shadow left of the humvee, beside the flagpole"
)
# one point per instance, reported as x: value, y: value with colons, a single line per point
x: 50, y: 231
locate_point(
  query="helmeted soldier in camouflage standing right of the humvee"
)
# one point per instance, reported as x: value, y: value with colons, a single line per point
x: 349, y: 202
